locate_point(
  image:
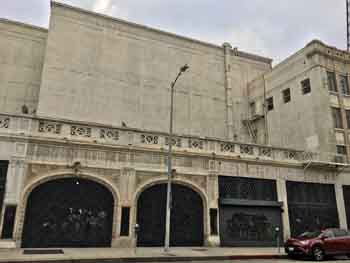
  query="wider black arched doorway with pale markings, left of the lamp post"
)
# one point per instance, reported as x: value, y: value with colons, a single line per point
x: 68, y: 212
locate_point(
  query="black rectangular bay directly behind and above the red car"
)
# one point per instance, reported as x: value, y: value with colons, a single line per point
x: 311, y: 207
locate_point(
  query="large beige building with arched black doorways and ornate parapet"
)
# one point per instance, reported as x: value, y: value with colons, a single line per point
x: 84, y: 110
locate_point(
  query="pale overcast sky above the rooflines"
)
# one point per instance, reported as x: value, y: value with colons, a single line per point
x: 273, y: 28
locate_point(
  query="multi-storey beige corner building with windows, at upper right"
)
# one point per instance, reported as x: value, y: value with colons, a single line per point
x: 307, y: 103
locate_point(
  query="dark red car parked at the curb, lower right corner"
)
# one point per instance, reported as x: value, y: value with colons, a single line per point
x: 319, y: 244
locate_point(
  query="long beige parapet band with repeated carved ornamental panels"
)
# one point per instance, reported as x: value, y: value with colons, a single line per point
x: 99, y: 135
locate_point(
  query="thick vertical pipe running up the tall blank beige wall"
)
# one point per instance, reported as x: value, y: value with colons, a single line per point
x: 228, y: 91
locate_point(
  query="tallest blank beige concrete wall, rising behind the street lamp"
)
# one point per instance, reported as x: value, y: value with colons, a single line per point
x: 108, y: 71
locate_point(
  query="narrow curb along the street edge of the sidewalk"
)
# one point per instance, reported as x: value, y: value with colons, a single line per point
x: 155, y: 259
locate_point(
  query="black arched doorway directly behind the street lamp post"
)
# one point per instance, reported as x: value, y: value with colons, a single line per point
x: 186, y: 216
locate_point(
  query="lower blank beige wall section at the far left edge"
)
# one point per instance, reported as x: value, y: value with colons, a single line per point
x: 21, y: 61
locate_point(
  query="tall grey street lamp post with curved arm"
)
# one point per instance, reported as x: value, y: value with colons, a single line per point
x: 170, y: 142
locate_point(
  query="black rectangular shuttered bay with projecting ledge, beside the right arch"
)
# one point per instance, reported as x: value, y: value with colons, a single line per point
x: 249, y: 212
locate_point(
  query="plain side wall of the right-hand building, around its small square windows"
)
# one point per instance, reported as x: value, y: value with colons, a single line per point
x: 305, y: 122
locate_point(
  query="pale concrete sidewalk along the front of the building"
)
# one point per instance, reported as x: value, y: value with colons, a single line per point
x: 142, y: 254
